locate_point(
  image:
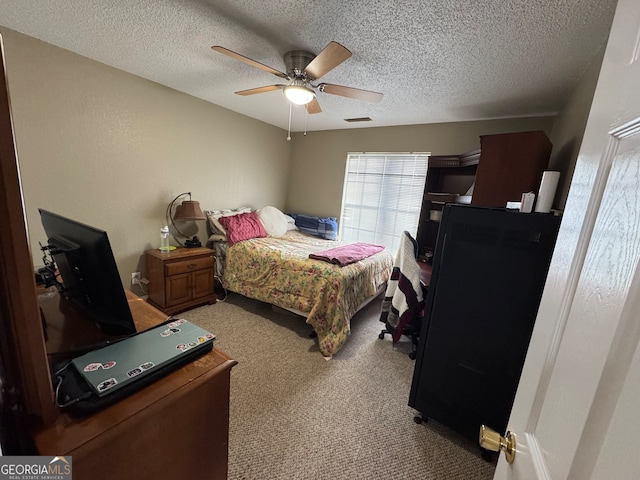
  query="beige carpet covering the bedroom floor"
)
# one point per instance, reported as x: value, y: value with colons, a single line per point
x: 295, y: 415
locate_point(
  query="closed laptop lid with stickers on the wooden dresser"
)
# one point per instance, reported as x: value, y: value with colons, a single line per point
x: 110, y: 368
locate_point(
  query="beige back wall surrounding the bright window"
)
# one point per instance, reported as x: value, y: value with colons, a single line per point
x: 319, y: 158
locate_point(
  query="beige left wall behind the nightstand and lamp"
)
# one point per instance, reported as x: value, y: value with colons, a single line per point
x: 112, y: 150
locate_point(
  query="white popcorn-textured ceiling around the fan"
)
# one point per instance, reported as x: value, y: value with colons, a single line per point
x: 435, y: 60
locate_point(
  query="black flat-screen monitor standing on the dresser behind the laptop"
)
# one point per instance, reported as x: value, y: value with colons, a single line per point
x: 90, y: 278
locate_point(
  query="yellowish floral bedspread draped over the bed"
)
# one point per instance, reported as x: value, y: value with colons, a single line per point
x: 278, y: 270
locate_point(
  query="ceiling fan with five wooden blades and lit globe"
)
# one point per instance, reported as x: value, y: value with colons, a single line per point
x: 302, y: 70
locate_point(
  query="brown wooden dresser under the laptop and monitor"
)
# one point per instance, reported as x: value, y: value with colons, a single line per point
x: 177, y: 427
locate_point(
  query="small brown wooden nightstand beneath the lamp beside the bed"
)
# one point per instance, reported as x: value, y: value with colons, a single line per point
x: 181, y: 279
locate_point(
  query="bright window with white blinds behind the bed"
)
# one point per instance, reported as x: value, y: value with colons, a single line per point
x: 382, y: 197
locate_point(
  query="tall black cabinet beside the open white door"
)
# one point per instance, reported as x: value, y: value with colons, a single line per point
x: 489, y: 270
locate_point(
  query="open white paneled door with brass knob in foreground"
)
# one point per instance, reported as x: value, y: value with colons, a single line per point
x: 577, y: 411
